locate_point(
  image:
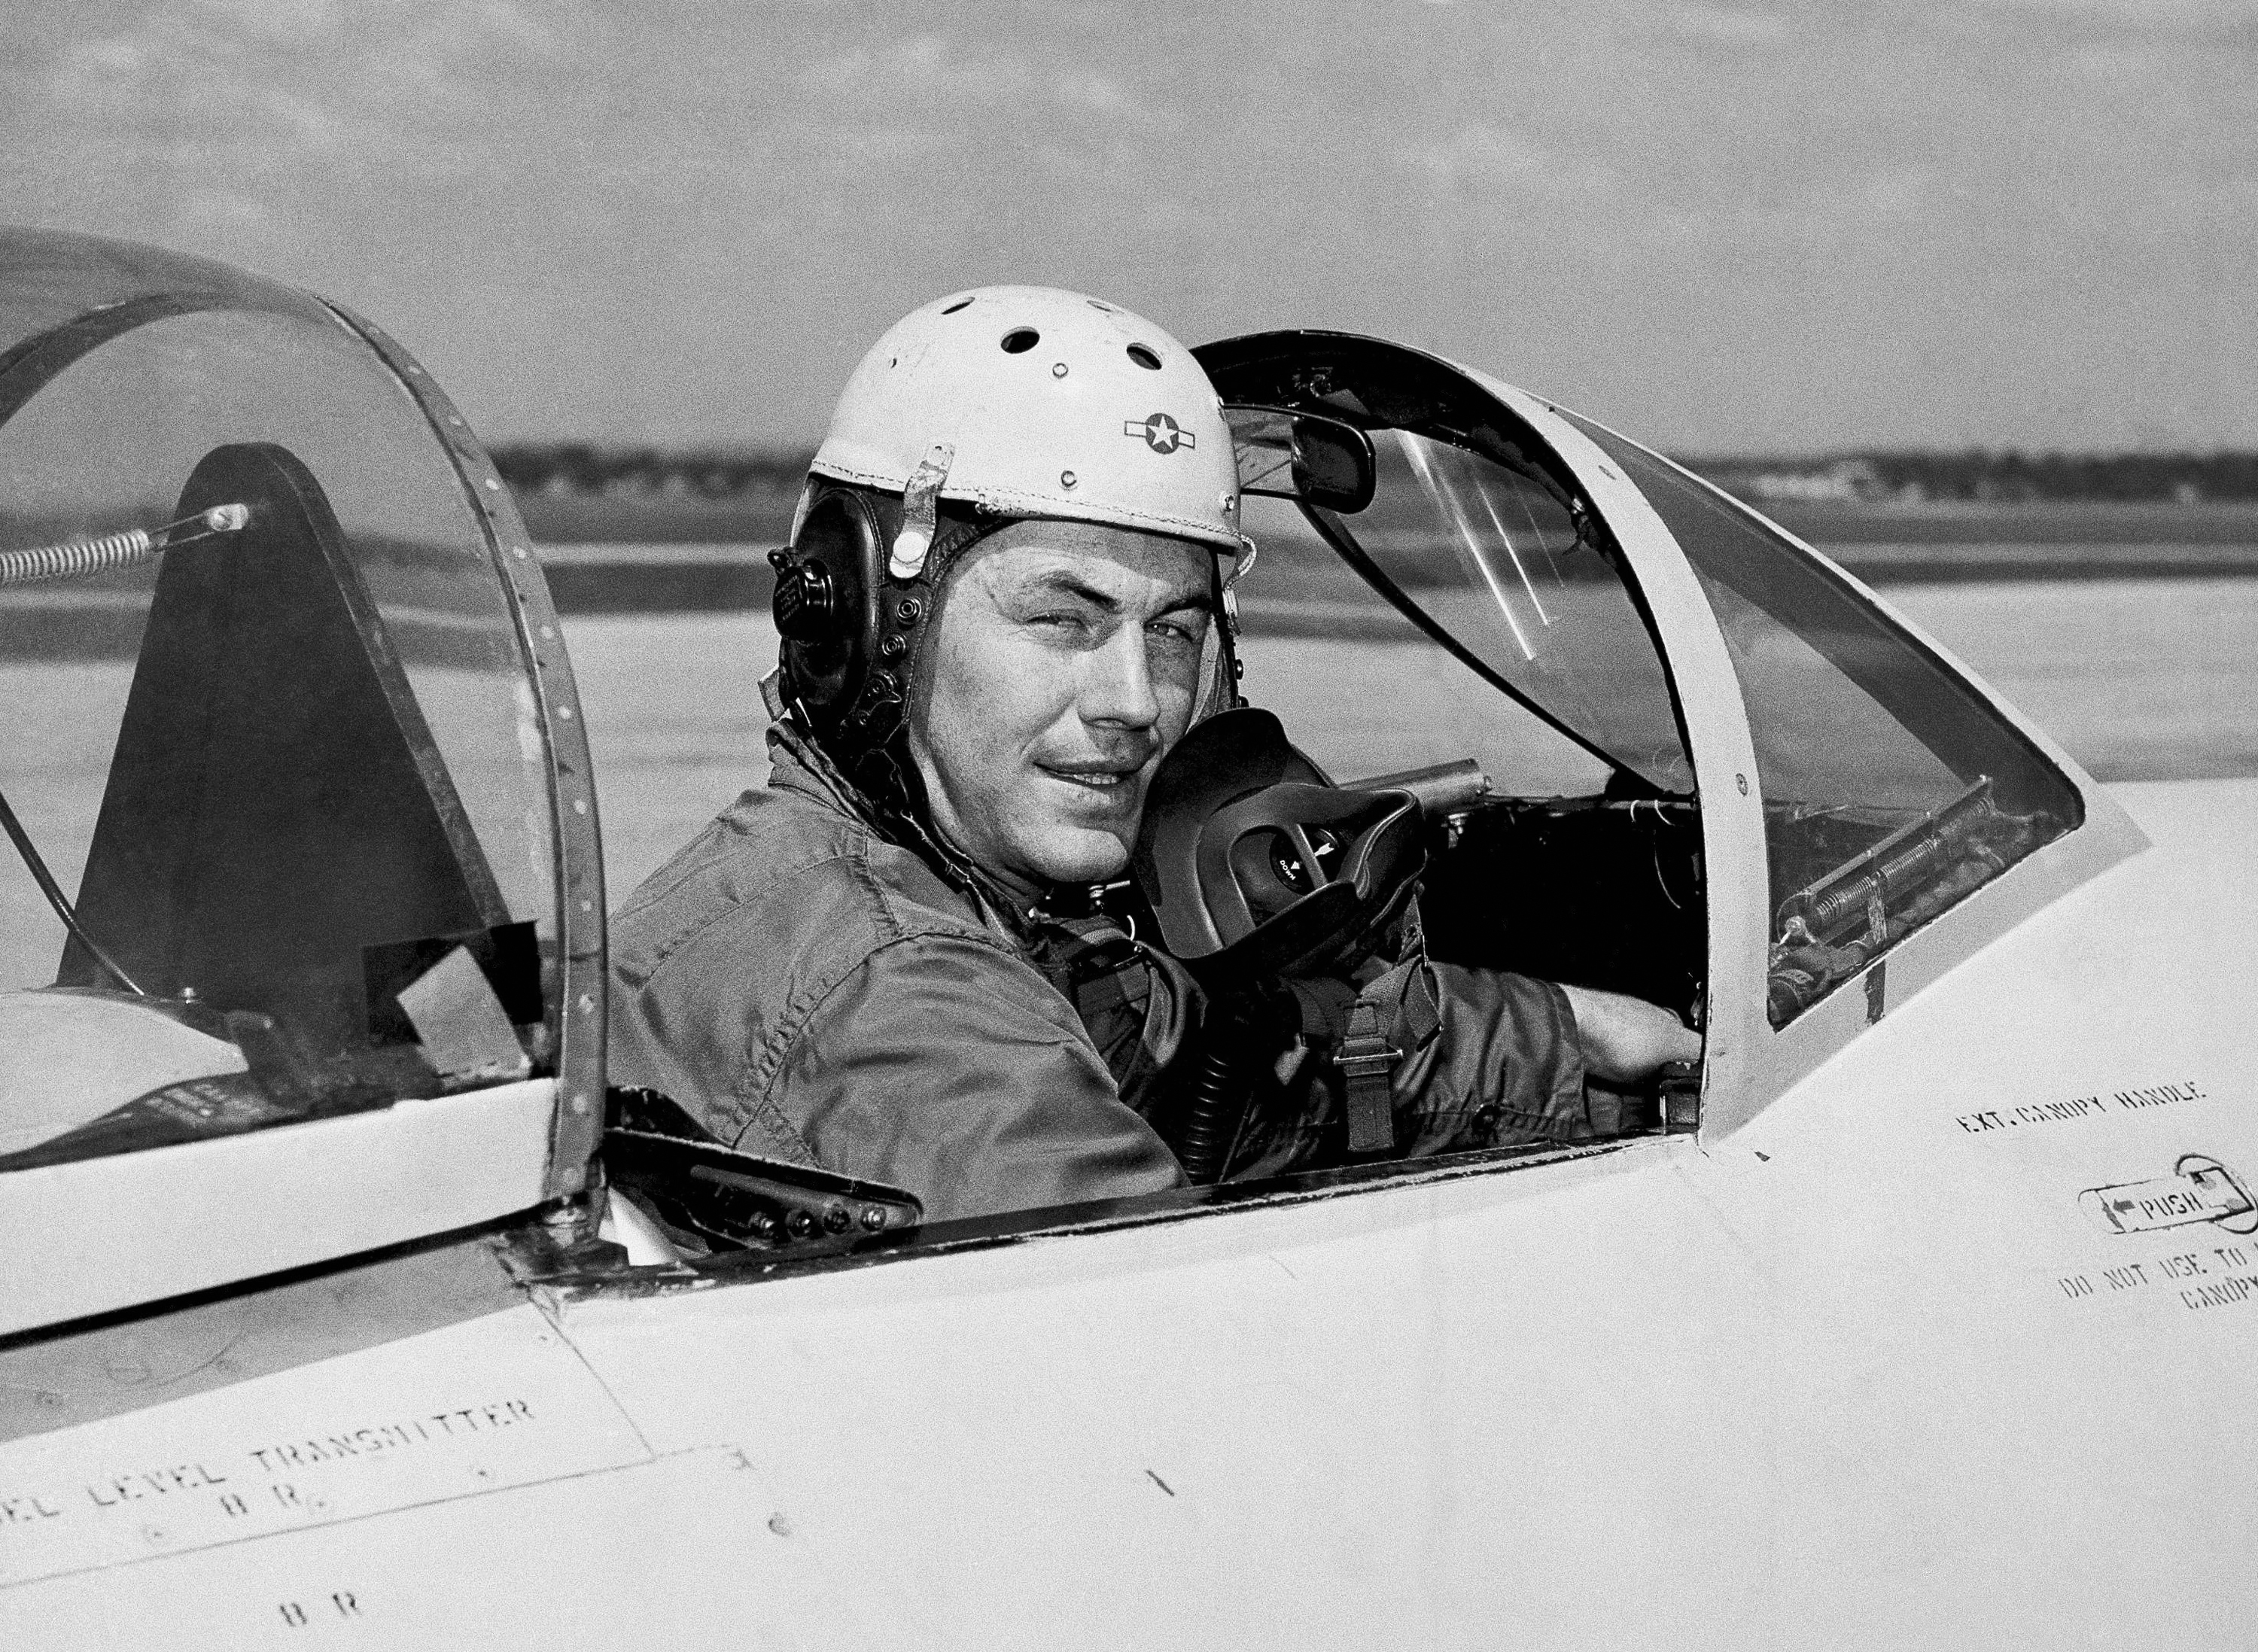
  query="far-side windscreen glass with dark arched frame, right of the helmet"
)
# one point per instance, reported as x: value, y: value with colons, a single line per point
x: 1487, y: 552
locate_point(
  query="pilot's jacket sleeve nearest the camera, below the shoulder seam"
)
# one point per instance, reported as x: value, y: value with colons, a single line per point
x: 959, y: 1073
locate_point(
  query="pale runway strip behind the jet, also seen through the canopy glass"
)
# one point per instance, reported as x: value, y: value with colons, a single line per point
x: 2139, y: 680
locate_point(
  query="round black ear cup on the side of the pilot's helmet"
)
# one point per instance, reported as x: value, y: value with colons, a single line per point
x: 828, y: 608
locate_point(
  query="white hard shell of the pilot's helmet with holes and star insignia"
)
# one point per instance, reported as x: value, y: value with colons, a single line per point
x: 1035, y: 403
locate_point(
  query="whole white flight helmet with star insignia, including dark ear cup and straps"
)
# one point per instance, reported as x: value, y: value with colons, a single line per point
x: 979, y: 410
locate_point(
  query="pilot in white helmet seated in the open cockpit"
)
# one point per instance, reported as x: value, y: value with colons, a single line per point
x: 916, y: 958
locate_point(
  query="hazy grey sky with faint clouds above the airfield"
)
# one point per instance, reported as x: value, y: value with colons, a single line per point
x: 1726, y: 229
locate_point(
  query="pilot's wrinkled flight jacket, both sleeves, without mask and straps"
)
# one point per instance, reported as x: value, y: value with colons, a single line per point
x: 819, y: 994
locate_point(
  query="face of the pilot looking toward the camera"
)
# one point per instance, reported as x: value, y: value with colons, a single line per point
x: 1065, y: 660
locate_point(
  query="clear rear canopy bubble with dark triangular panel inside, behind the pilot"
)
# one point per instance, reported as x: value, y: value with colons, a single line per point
x: 279, y: 762
